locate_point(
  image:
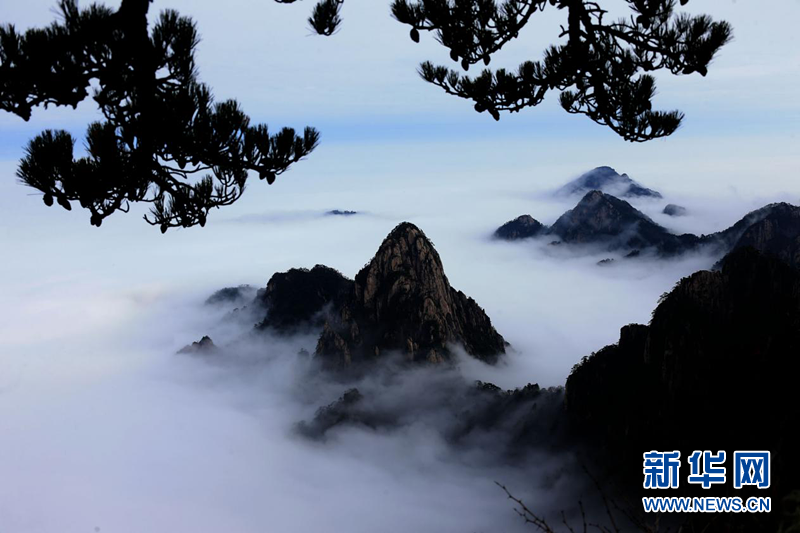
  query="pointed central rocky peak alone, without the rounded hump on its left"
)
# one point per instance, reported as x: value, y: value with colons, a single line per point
x: 402, y: 301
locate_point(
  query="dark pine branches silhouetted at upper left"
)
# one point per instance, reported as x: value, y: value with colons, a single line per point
x: 163, y: 139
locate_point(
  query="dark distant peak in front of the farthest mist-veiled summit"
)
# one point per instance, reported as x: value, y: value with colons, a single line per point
x: 600, y: 218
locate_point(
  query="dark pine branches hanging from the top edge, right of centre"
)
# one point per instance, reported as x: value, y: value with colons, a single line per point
x: 601, y: 70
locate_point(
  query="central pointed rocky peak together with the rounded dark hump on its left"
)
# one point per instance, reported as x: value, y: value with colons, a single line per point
x: 401, y: 301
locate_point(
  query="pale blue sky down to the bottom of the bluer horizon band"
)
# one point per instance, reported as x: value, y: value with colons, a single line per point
x: 360, y: 84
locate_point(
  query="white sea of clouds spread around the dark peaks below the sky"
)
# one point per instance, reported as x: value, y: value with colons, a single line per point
x: 105, y: 428
